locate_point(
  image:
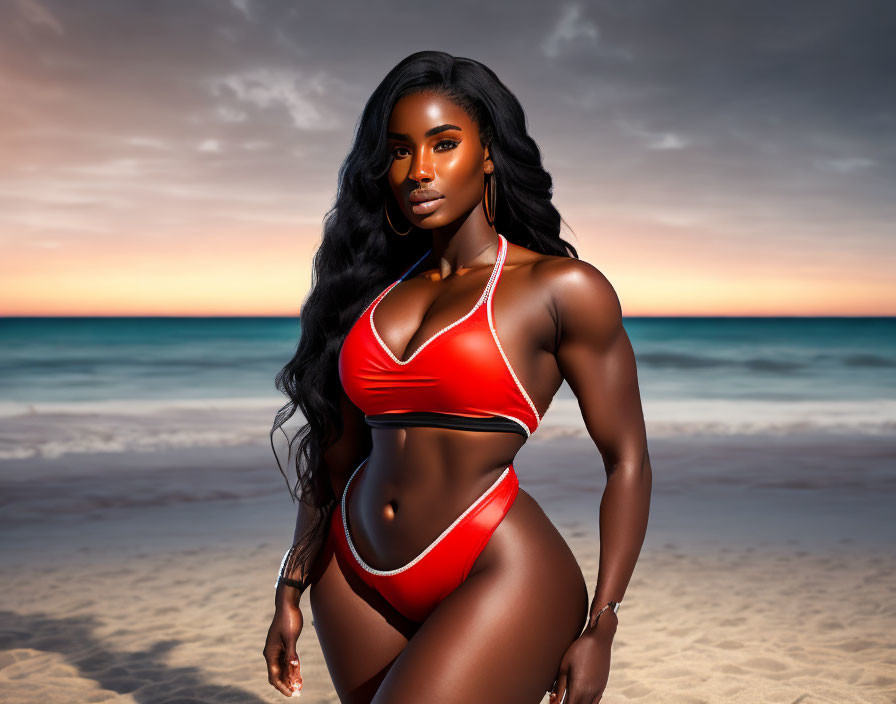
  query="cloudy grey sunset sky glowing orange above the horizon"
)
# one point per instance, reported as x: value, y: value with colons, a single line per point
x: 710, y: 157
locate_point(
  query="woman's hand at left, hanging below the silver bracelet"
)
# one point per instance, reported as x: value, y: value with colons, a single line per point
x: 284, y: 671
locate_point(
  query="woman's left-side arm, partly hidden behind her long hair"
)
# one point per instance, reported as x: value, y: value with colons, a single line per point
x: 340, y: 459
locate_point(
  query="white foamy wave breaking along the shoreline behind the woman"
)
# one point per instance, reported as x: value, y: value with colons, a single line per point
x: 51, y: 430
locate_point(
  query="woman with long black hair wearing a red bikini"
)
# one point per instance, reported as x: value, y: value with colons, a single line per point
x: 444, y: 314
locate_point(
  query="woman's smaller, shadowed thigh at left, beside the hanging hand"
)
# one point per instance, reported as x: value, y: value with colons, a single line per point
x: 360, y: 633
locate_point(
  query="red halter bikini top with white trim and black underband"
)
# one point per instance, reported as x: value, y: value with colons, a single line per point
x: 459, y: 378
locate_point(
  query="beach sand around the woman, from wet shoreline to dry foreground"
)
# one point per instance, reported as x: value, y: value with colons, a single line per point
x: 147, y: 578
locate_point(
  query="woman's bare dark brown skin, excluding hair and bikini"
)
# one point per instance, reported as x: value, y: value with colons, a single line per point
x: 514, y: 628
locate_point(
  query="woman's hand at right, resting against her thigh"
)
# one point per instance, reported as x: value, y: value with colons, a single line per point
x: 585, y: 667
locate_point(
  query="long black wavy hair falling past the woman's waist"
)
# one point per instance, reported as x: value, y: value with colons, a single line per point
x: 360, y: 254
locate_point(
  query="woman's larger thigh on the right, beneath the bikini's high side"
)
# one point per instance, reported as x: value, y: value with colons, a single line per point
x: 500, y: 636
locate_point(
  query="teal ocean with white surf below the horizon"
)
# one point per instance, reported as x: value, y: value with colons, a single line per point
x: 63, y: 381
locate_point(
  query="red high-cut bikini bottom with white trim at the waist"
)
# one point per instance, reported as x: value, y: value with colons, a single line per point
x: 419, y: 586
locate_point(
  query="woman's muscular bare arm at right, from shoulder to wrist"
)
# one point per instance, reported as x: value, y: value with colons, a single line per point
x: 595, y: 357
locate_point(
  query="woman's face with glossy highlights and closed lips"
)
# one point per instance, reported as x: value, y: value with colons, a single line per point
x: 434, y: 143
